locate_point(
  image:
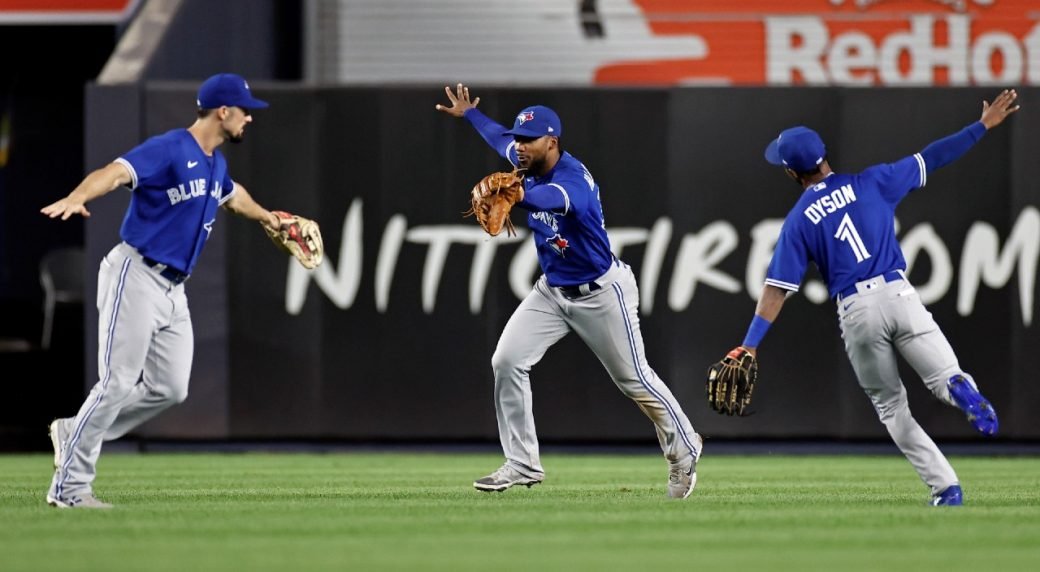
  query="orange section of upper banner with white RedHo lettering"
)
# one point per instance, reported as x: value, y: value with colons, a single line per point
x: 843, y: 43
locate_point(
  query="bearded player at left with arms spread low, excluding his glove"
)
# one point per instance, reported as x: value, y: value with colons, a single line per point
x: 178, y: 180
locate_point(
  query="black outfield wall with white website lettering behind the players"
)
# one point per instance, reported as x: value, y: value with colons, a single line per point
x: 393, y: 337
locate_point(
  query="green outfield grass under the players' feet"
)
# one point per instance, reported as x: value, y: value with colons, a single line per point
x: 419, y: 512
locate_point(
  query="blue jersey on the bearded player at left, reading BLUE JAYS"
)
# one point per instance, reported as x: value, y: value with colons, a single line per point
x: 177, y: 190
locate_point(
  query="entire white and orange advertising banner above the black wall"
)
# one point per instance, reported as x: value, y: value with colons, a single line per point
x: 814, y: 43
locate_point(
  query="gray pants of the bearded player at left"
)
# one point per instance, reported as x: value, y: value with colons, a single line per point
x: 145, y: 351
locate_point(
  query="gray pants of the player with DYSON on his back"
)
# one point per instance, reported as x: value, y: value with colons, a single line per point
x: 879, y: 321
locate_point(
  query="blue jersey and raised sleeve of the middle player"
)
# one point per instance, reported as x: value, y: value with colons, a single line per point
x: 565, y: 214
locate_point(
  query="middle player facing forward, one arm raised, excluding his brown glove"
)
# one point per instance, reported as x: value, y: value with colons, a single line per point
x: 584, y: 290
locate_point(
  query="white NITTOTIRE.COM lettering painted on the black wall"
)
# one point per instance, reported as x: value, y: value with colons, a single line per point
x: 983, y: 262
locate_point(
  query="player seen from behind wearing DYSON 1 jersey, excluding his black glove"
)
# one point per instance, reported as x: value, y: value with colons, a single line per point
x: 845, y: 224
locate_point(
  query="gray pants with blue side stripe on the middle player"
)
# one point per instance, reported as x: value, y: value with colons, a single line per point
x: 608, y: 322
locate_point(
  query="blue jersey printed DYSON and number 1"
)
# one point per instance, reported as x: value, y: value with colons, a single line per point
x: 846, y: 225
